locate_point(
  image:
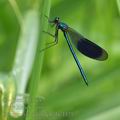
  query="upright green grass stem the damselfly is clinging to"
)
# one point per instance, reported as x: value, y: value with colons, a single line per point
x: 36, y: 73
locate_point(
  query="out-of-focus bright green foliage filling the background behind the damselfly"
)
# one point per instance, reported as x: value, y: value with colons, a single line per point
x: 66, y: 96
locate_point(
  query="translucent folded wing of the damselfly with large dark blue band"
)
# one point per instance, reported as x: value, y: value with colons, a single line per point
x: 87, y: 47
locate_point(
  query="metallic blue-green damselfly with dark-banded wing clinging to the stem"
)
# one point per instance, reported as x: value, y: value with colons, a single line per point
x: 84, y: 45
